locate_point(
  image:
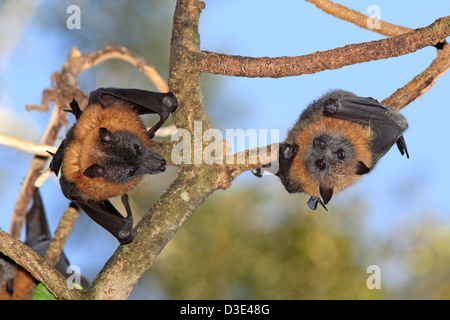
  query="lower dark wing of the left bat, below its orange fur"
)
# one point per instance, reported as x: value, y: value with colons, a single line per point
x: 103, y: 212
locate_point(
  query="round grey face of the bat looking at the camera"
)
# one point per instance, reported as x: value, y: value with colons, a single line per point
x: 327, y: 155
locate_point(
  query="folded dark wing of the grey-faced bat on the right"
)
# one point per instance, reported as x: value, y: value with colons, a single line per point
x: 388, y: 125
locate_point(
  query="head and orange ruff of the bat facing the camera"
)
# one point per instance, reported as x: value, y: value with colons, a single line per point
x: 331, y: 155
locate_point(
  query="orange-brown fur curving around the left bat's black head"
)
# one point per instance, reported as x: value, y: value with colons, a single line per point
x: 80, y: 153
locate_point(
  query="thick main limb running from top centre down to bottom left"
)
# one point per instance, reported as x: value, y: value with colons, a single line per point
x: 193, y: 183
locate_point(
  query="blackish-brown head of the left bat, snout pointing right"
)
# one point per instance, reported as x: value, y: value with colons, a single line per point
x: 122, y: 156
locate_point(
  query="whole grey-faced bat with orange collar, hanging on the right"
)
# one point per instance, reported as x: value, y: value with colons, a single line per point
x: 336, y: 140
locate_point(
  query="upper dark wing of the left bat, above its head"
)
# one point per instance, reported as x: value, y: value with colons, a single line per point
x: 142, y: 101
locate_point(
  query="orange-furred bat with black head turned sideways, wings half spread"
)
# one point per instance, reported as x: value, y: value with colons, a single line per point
x: 107, y: 151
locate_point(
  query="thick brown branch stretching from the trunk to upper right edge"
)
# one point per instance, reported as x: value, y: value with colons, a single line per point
x: 230, y: 65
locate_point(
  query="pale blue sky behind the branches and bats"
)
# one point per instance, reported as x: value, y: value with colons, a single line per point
x: 398, y: 187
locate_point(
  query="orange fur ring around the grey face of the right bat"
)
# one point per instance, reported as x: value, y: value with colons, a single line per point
x: 342, y: 176
